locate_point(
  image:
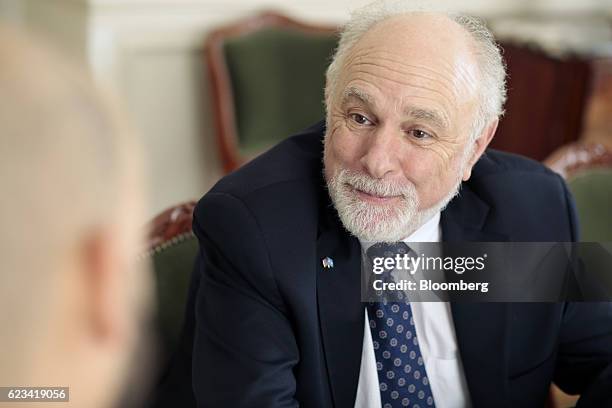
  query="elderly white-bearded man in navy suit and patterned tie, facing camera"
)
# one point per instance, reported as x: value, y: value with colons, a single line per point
x: 276, y: 319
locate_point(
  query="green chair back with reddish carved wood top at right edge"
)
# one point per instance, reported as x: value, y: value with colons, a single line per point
x: 588, y: 171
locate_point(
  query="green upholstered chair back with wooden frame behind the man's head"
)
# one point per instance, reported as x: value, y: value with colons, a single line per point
x: 267, y: 75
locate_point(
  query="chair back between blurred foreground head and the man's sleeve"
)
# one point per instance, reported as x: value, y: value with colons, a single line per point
x: 172, y: 250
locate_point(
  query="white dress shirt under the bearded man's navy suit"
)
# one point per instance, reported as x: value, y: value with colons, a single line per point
x: 436, y: 333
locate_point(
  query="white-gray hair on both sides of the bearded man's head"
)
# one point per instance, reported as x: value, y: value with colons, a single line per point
x: 492, y: 91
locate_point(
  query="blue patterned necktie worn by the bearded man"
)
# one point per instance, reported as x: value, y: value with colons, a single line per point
x: 402, y: 377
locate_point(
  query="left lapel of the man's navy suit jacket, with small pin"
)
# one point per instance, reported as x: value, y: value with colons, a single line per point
x: 341, y: 313
